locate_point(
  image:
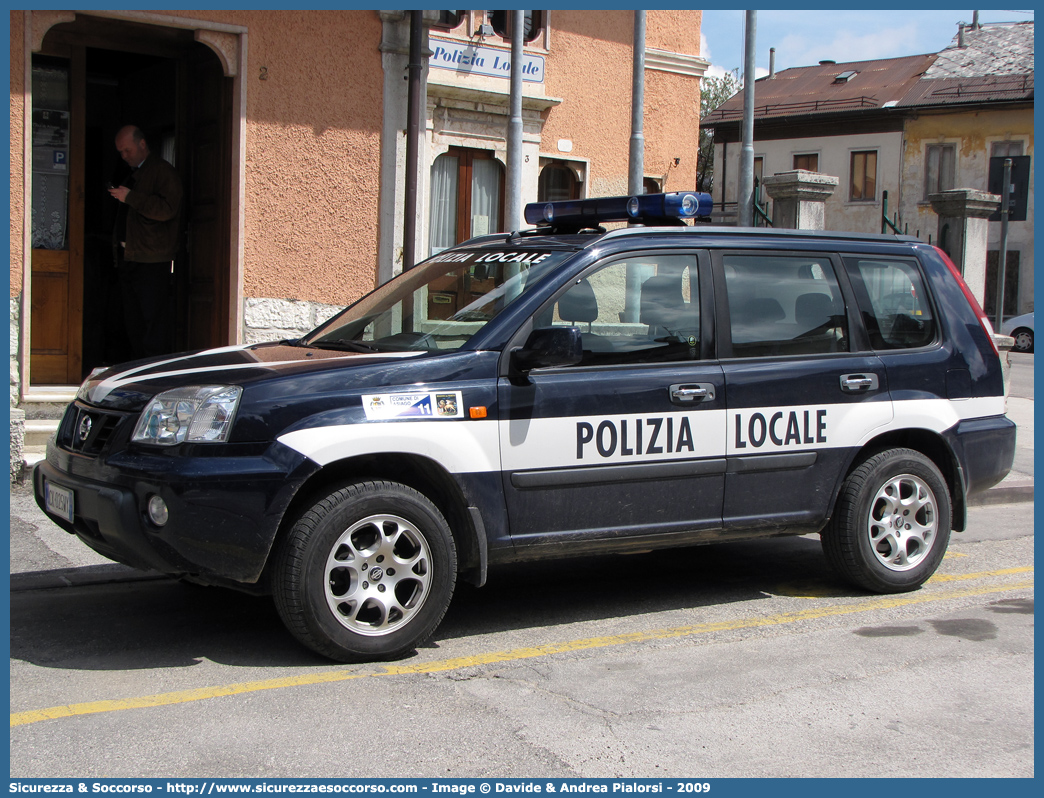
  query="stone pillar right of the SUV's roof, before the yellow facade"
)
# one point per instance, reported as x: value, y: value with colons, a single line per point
x: 963, y: 230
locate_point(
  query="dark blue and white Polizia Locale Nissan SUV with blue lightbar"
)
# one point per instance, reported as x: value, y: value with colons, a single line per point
x: 558, y: 392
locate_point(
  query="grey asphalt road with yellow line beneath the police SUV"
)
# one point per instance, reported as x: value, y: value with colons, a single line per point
x: 742, y: 660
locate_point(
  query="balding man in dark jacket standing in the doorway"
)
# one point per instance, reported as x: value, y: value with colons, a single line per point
x: 146, y: 241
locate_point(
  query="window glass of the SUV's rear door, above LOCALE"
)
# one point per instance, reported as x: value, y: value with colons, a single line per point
x: 785, y: 306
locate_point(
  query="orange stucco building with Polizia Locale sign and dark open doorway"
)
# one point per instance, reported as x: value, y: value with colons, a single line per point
x: 289, y: 132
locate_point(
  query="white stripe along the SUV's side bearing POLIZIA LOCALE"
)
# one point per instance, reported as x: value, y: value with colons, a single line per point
x: 490, y: 447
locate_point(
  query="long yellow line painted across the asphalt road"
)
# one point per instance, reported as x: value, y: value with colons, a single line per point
x: 182, y: 697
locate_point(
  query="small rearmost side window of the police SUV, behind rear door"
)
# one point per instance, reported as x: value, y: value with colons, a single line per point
x: 893, y: 301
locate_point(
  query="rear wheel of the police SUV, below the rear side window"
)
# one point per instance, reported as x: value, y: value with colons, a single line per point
x: 892, y: 523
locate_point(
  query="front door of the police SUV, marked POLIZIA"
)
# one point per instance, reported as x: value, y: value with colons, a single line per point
x: 631, y: 442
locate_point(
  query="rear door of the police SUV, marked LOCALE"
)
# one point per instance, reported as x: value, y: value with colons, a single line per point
x: 803, y: 393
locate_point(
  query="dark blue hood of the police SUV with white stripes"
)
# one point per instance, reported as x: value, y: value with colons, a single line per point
x: 131, y: 386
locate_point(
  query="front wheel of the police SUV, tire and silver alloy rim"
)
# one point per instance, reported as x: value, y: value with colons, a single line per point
x: 367, y: 573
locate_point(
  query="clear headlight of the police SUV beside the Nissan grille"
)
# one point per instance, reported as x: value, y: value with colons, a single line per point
x: 198, y: 414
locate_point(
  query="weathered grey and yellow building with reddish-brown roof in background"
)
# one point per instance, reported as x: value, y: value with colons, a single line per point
x: 909, y: 127
